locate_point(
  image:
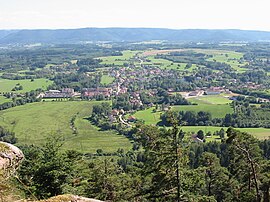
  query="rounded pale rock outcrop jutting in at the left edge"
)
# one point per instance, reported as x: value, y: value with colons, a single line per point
x: 10, y: 158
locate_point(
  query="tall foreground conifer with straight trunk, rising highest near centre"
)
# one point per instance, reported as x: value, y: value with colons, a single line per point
x: 165, y: 163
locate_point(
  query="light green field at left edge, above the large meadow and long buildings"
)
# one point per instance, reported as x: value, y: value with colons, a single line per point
x: 28, y: 85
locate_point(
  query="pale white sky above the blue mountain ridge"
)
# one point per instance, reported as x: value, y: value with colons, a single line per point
x: 176, y: 14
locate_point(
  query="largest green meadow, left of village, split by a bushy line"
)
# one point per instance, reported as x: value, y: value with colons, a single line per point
x: 32, y: 123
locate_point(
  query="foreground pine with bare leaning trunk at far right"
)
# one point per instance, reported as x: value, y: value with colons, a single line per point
x: 245, y: 160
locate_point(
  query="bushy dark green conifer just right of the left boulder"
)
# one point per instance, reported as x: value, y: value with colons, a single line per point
x: 45, y: 170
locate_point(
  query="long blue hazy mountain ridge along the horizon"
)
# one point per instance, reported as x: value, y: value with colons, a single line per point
x: 128, y: 34
